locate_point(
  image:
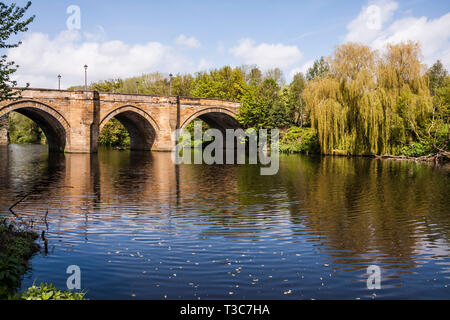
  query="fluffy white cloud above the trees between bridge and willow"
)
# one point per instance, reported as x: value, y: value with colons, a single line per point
x: 266, y: 55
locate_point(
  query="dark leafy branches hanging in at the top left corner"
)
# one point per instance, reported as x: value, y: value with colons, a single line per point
x: 11, y: 23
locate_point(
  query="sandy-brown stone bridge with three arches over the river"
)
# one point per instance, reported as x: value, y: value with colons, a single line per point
x: 72, y: 120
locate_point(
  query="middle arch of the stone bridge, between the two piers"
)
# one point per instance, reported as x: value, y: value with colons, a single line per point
x: 143, y: 129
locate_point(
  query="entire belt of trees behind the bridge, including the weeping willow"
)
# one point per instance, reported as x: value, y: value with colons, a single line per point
x: 359, y: 101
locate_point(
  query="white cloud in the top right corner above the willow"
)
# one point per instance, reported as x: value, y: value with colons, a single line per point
x: 433, y: 34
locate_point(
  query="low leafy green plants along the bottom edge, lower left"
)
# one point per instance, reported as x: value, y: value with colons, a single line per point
x: 49, y: 292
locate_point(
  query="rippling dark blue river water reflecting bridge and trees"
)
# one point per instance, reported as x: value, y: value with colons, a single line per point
x: 141, y: 228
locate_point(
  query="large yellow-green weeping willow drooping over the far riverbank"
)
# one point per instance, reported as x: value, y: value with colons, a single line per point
x: 369, y: 103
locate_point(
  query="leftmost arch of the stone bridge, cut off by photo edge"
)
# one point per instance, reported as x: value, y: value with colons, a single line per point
x: 55, y: 127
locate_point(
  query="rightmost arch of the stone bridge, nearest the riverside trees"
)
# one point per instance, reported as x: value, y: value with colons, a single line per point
x: 215, y: 117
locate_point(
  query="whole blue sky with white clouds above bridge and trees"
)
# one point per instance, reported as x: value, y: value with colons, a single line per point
x: 129, y: 38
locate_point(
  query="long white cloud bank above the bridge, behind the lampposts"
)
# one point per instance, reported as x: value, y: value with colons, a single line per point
x: 41, y: 59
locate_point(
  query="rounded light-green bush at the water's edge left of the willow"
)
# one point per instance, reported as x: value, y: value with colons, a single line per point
x: 300, y: 140
